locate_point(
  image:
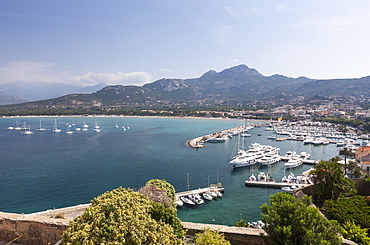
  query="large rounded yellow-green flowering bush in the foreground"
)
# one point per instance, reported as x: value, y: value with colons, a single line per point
x: 120, y: 216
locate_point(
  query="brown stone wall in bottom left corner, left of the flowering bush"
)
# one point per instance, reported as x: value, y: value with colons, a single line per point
x: 31, y: 230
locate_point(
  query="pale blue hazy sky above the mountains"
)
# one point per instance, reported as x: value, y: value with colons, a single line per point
x: 136, y: 42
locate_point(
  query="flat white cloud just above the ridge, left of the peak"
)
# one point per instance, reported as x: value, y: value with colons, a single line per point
x: 117, y: 78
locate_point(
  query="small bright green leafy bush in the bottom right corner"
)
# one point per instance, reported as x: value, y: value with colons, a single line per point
x: 353, y: 232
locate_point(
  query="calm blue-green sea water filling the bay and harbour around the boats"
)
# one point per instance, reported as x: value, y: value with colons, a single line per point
x: 47, y: 170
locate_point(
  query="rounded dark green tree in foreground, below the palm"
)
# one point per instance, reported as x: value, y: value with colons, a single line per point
x: 293, y: 221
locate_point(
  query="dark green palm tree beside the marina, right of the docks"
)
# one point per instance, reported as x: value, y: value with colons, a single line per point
x: 330, y: 183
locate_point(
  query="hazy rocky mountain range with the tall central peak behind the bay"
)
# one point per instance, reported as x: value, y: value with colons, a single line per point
x: 233, y: 86
